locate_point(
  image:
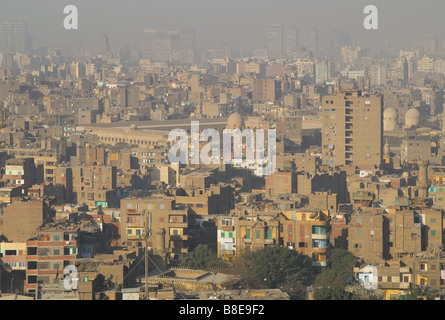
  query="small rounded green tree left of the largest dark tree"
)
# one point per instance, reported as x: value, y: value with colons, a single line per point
x: 202, y: 258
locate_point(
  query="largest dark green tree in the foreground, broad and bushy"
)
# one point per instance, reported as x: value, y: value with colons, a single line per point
x: 277, y: 267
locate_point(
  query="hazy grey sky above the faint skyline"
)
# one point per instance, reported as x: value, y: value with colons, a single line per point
x: 243, y: 22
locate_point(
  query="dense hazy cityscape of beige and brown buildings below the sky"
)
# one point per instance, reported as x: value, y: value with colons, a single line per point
x: 93, y: 208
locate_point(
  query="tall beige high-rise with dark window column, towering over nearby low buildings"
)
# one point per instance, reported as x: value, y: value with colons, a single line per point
x: 352, y: 129
